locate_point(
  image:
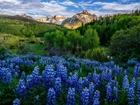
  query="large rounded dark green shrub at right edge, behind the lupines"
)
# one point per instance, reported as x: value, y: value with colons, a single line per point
x: 125, y: 44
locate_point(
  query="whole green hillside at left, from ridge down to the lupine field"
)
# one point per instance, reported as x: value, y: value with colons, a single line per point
x: 22, y: 36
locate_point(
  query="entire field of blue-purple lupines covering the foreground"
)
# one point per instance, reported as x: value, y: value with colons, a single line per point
x: 38, y: 80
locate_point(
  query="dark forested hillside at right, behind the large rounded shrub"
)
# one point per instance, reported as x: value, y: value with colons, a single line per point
x: 107, y: 26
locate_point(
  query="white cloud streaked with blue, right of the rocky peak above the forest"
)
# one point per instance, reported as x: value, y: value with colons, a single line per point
x: 104, y: 8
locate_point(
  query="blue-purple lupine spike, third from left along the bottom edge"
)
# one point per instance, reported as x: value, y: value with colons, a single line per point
x: 71, y: 96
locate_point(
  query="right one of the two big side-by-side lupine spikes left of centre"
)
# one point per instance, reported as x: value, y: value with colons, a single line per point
x: 61, y: 72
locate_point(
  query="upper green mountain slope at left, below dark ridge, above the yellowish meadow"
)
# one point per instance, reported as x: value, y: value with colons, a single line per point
x: 18, y: 25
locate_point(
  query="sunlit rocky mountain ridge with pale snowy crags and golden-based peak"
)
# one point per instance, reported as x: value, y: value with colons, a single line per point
x: 72, y: 23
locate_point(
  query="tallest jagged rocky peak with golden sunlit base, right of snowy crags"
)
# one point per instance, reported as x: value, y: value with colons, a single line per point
x: 79, y: 20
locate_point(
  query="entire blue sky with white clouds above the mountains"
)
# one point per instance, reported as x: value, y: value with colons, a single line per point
x: 41, y: 8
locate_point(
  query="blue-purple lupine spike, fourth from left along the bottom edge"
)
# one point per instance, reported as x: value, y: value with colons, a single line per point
x: 84, y: 100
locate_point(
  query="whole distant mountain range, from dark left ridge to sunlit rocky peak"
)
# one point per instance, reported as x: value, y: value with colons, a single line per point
x: 73, y: 22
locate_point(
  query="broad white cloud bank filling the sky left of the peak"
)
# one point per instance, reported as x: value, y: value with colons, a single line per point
x: 35, y: 9
